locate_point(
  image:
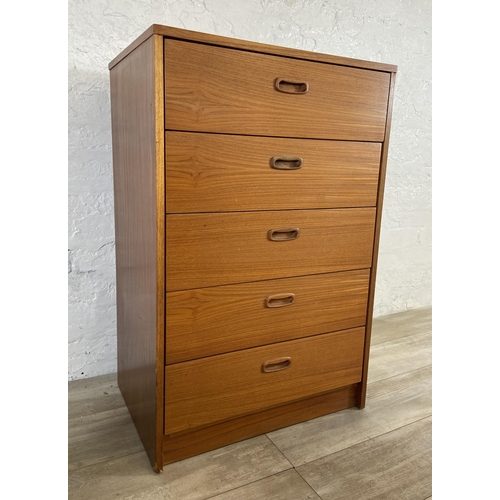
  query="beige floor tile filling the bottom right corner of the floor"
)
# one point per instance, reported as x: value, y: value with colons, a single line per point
x: 394, y: 466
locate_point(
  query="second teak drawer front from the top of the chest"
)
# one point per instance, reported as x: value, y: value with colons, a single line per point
x: 211, y: 173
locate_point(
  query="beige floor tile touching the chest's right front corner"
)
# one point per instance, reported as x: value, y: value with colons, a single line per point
x: 391, y: 403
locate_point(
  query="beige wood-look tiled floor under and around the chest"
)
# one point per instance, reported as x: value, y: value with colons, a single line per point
x: 382, y: 452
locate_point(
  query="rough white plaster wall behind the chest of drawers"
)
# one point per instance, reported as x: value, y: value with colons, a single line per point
x: 392, y: 31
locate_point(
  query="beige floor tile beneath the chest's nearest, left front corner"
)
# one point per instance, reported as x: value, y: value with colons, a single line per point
x: 196, y: 478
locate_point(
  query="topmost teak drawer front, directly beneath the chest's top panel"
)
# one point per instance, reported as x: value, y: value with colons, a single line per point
x: 215, y: 89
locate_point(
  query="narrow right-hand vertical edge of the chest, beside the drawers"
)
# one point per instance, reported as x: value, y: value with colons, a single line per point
x: 378, y: 225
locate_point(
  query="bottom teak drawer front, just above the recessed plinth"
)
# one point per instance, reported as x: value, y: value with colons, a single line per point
x: 209, y: 390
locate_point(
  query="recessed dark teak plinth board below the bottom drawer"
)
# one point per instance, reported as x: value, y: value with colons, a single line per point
x: 184, y: 445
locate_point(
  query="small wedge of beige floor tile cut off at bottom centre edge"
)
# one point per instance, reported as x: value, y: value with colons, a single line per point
x: 286, y: 485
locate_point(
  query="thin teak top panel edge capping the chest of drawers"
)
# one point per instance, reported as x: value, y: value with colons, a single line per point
x: 182, y: 34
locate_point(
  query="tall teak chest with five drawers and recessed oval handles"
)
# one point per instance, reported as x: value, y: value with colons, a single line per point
x: 248, y: 187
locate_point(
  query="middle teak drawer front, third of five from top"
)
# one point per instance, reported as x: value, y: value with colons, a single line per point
x: 235, y: 247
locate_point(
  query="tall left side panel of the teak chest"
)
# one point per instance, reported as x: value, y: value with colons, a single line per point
x: 137, y: 168
